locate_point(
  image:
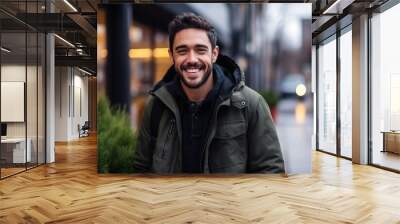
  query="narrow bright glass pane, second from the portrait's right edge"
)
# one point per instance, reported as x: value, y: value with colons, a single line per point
x: 346, y: 94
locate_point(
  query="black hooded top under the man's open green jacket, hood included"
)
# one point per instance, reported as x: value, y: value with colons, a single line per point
x: 196, y: 116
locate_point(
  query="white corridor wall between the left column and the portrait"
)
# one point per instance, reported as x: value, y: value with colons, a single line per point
x: 71, y: 93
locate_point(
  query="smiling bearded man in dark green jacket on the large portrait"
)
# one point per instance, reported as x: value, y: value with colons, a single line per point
x: 201, y: 118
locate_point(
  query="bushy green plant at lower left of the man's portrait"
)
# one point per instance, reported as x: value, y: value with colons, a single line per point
x: 116, y: 141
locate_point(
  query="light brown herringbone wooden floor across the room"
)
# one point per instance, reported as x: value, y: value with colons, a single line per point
x: 71, y: 191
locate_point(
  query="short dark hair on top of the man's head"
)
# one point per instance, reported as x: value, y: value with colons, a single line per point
x: 190, y: 20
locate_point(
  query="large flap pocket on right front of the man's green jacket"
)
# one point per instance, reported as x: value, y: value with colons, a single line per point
x: 229, y: 147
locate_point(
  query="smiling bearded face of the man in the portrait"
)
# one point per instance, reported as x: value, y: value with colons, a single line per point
x: 193, y: 57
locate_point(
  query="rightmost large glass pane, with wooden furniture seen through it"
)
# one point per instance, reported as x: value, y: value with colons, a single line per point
x: 386, y: 89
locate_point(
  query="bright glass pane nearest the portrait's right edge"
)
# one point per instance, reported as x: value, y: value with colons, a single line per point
x: 327, y: 97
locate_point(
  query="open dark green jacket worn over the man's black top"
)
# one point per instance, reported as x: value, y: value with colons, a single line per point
x: 242, y: 136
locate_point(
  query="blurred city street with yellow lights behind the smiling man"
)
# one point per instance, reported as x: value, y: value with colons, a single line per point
x: 270, y: 42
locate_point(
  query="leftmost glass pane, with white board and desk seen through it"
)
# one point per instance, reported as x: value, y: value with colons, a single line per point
x: 14, y: 153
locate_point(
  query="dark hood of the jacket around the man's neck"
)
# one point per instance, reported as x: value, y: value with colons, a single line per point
x: 233, y: 76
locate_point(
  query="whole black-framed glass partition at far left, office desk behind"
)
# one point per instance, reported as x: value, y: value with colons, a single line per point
x: 22, y: 88
